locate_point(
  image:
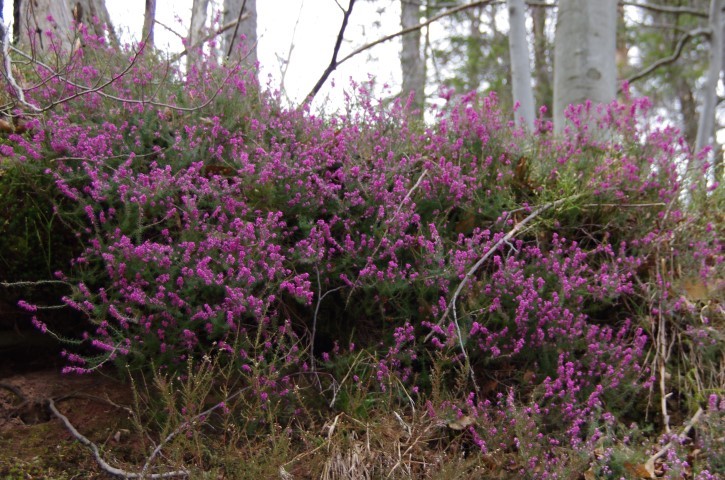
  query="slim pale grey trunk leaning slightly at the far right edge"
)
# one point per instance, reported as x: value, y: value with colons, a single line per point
x: 706, y: 126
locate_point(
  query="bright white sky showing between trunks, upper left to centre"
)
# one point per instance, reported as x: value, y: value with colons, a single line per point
x: 318, y: 22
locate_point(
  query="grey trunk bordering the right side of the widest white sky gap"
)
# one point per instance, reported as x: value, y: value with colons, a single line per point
x: 411, y: 60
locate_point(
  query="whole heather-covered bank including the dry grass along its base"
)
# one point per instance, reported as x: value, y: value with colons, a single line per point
x: 490, y: 301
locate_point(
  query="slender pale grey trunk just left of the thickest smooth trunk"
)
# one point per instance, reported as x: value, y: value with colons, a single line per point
x: 520, y: 65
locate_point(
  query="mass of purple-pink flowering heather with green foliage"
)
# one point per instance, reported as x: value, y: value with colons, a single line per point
x: 216, y: 221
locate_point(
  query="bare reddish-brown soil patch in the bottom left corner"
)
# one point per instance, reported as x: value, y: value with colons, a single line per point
x: 34, y: 444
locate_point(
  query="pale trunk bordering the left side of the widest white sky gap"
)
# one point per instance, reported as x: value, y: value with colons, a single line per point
x: 245, y: 12
